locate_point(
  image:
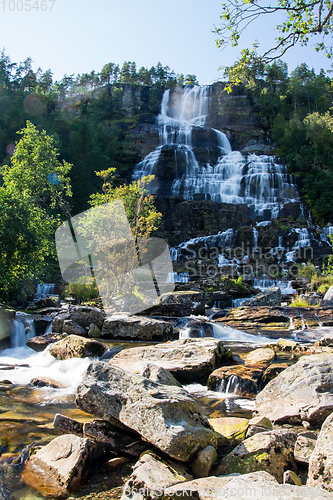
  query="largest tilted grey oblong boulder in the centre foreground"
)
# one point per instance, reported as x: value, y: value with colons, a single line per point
x: 166, y: 416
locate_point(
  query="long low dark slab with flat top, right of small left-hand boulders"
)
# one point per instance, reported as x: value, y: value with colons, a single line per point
x: 124, y: 327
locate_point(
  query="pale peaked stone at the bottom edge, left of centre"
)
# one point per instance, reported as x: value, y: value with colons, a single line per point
x: 151, y: 477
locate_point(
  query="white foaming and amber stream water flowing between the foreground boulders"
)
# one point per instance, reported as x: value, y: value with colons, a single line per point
x: 27, y: 411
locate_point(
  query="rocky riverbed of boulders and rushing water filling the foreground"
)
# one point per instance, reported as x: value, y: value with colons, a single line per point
x: 161, y: 419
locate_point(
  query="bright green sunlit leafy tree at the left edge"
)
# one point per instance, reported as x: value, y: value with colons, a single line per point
x: 35, y: 185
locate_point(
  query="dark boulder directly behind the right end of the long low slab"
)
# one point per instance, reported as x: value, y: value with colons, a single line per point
x: 182, y: 303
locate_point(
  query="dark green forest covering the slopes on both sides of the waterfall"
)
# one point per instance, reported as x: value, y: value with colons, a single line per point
x: 79, y: 126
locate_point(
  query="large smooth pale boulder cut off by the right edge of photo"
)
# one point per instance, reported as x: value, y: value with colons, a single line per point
x: 301, y: 392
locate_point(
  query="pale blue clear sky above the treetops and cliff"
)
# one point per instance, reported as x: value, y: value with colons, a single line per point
x: 78, y: 36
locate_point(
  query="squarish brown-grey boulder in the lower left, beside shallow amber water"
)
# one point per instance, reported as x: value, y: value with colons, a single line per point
x: 62, y: 466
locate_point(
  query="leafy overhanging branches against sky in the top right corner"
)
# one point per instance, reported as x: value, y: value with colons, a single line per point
x: 301, y: 20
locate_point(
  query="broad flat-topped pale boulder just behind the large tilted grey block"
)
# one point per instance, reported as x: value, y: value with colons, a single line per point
x: 187, y: 359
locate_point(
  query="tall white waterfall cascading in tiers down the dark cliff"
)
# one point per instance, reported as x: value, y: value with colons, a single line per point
x: 194, y: 160
